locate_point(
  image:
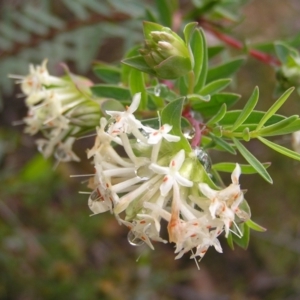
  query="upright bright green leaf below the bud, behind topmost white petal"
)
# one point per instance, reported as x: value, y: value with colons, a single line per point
x: 137, y: 85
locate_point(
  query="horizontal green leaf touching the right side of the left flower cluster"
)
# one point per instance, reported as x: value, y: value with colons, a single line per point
x: 111, y: 91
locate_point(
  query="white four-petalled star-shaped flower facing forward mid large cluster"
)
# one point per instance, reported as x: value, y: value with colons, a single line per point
x: 172, y: 173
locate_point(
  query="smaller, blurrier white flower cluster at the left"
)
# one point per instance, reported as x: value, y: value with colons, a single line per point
x: 51, y: 102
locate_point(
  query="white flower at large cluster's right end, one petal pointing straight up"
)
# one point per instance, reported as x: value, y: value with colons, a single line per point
x: 224, y: 203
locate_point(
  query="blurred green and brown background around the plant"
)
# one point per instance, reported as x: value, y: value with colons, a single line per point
x: 49, y: 246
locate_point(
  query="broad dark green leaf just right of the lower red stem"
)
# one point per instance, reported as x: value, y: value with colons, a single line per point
x: 208, y: 109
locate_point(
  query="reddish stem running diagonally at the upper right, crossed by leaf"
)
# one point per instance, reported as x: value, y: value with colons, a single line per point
x: 229, y: 40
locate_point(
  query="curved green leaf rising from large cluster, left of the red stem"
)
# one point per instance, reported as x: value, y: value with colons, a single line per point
x: 171, y: 114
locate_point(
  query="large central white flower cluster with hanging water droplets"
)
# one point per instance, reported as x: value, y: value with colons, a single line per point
x: 142, y: 180
